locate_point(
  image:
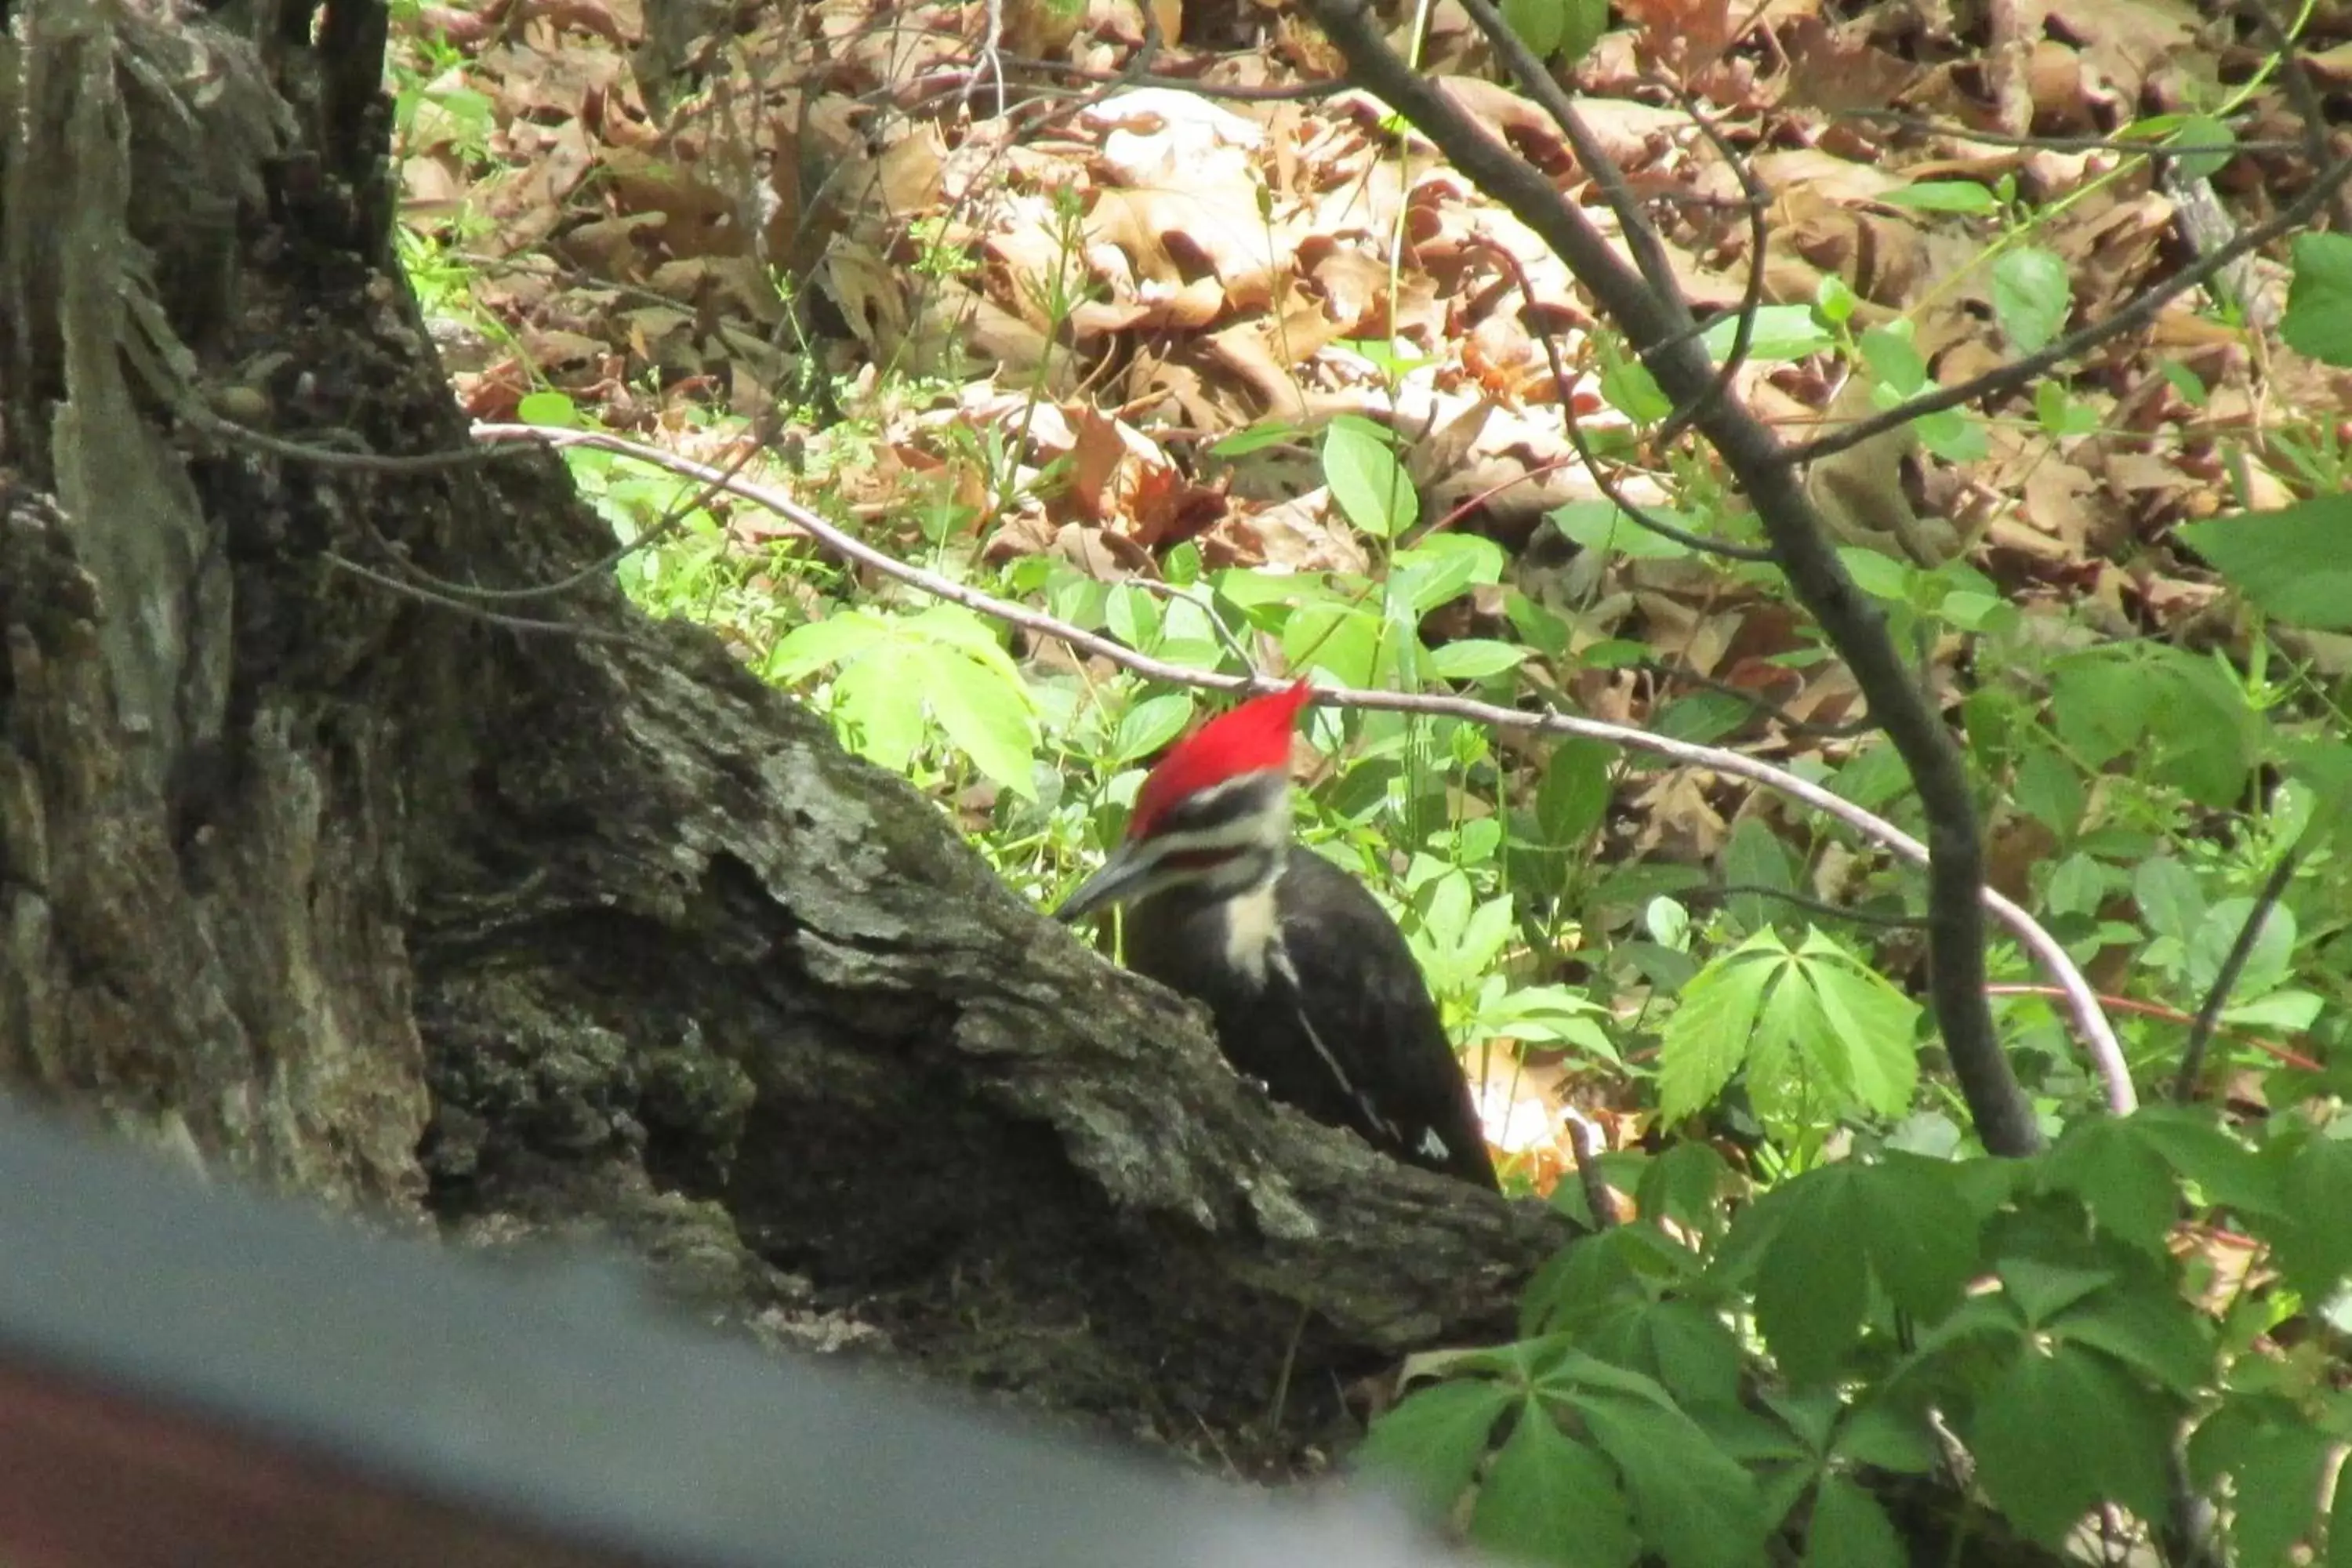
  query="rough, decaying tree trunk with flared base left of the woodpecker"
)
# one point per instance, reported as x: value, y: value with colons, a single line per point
x: 556, y: 932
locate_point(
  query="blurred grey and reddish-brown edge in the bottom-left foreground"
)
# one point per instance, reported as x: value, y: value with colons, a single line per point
x: 201, y: 1379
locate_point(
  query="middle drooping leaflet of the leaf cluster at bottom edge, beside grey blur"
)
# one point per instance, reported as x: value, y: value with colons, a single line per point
x: 1553, y: 1501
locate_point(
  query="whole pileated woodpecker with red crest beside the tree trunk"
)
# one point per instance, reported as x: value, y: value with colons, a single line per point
x: 1311, y: 984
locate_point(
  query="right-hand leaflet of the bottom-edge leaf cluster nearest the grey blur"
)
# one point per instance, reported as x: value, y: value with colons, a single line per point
x: 1695, y: 1506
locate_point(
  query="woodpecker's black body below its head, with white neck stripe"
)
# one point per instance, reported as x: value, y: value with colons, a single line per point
x: 1318, y: 998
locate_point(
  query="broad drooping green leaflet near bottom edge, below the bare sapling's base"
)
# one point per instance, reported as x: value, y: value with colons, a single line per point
x: 2064, y: 1433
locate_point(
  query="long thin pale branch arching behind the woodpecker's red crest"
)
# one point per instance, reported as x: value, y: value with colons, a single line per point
x: 2092, y: 1024
